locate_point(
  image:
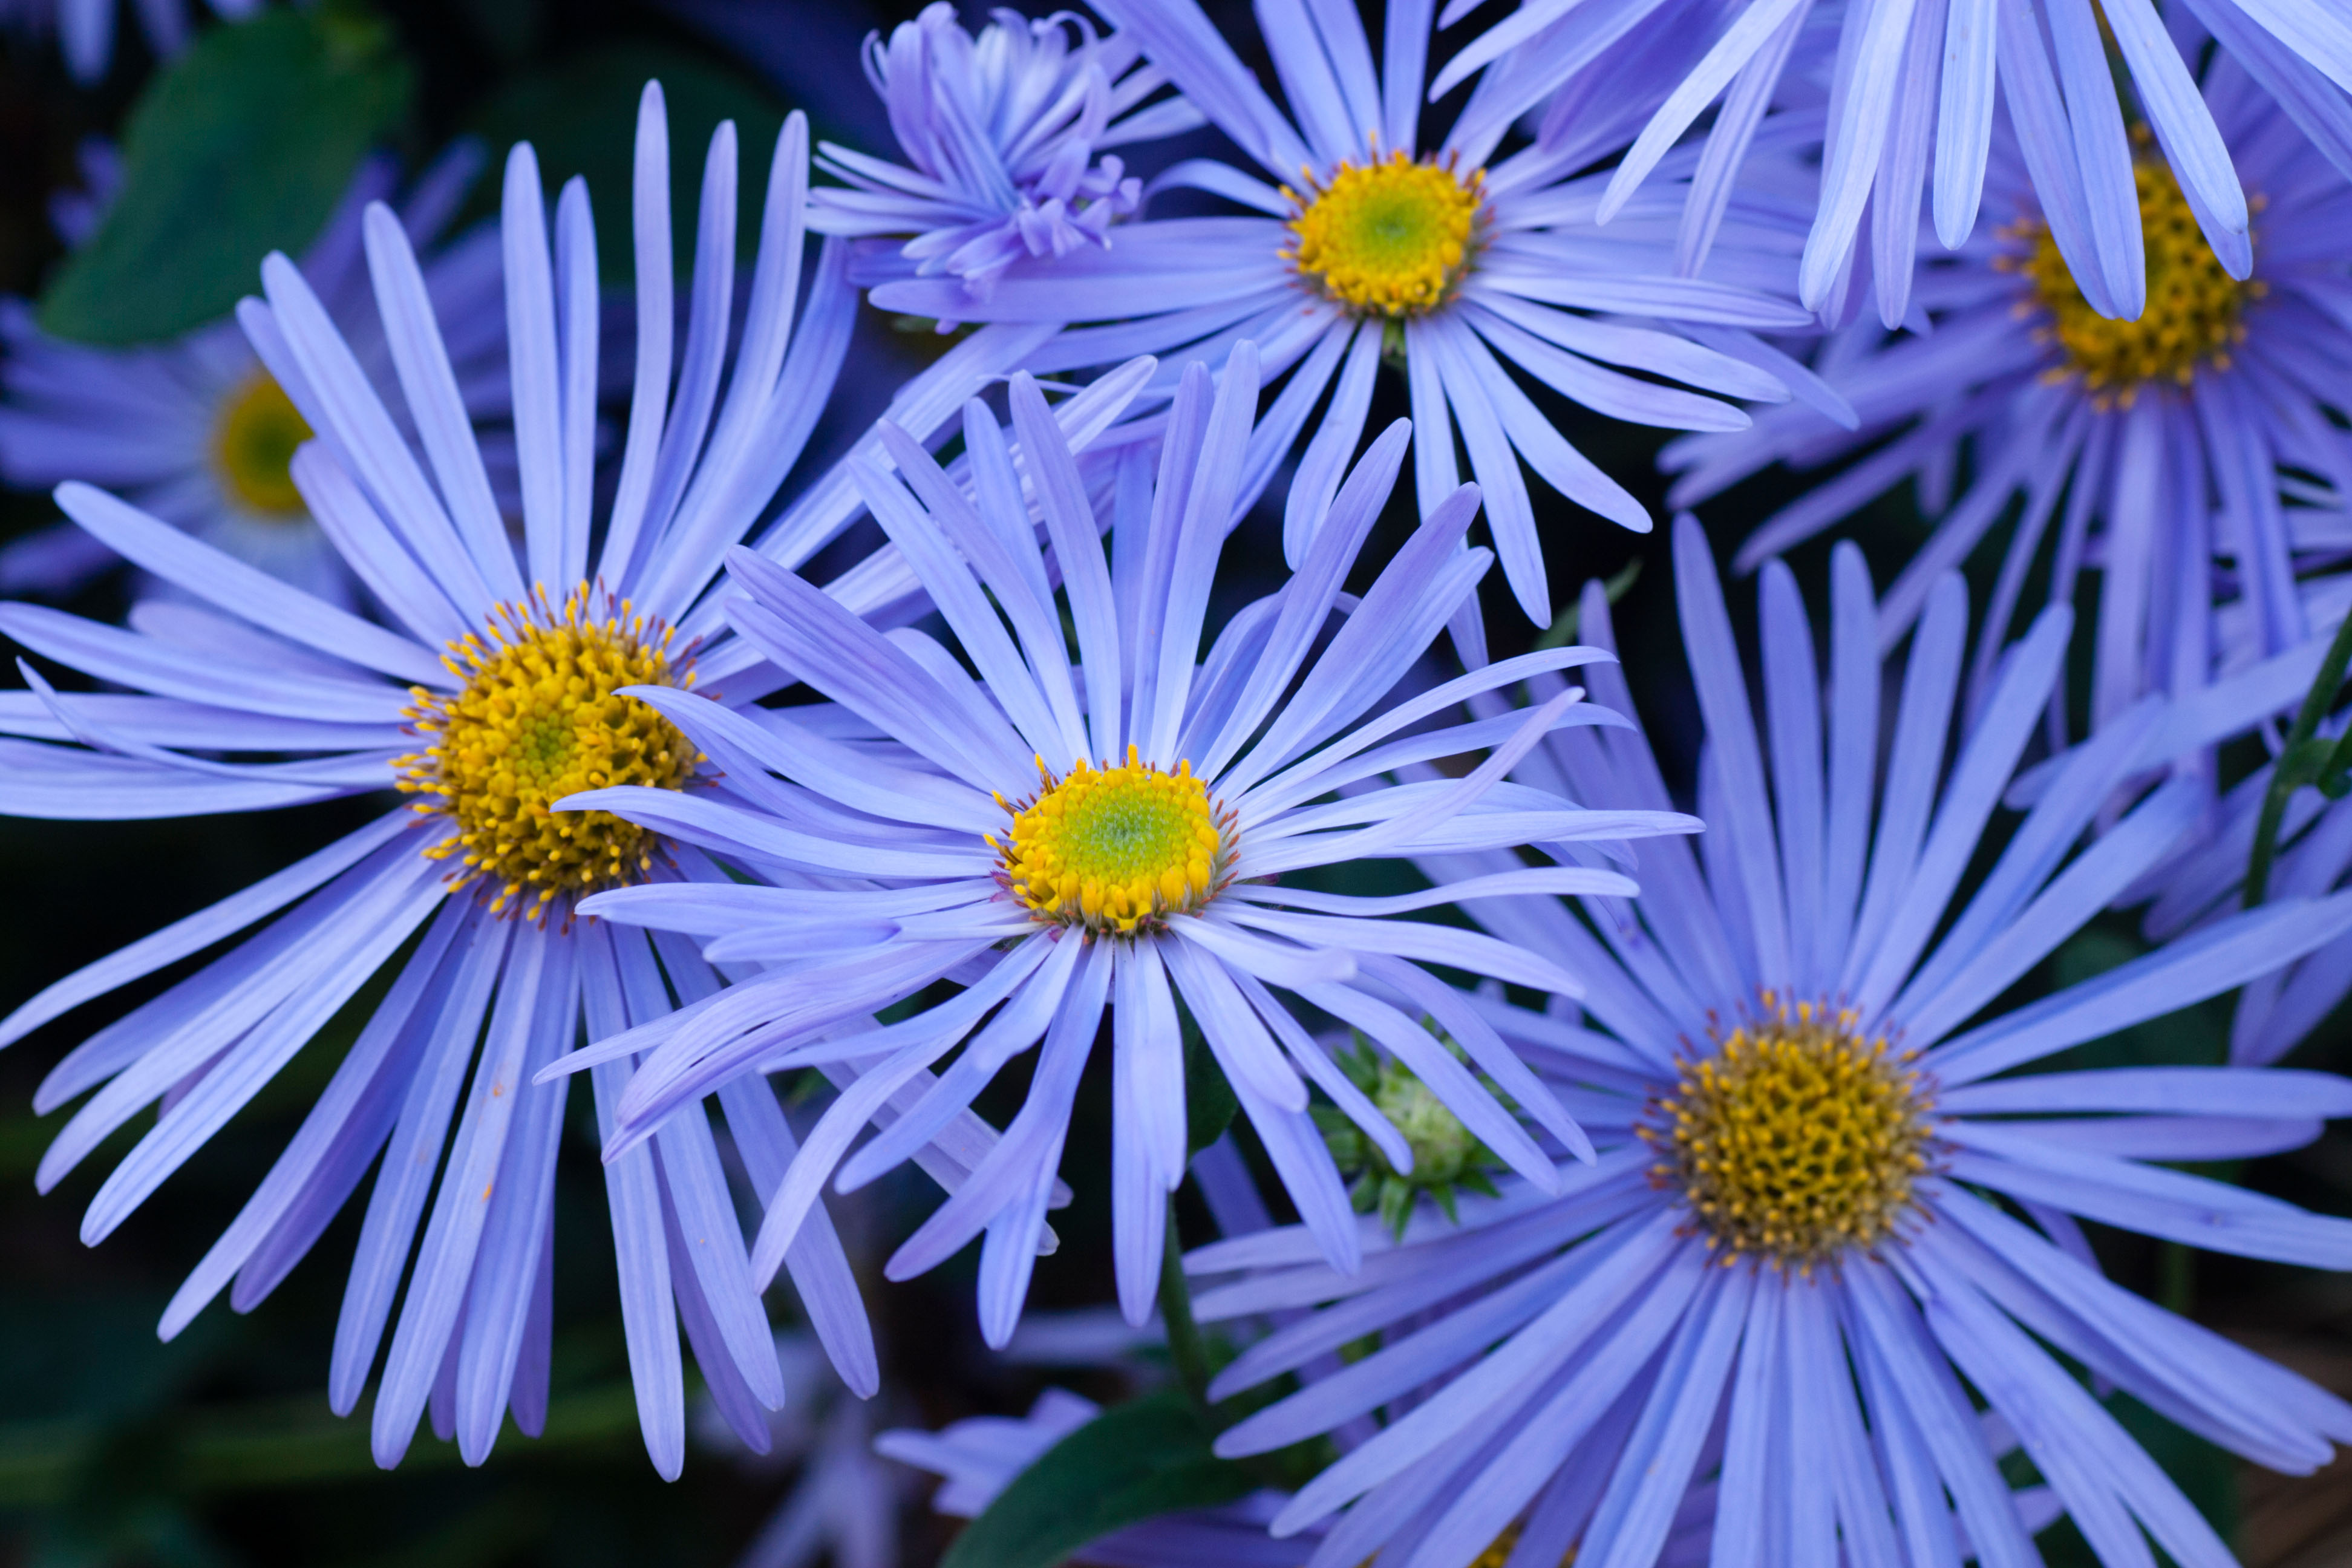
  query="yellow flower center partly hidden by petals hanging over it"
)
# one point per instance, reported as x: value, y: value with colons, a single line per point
x: 2193, y: 304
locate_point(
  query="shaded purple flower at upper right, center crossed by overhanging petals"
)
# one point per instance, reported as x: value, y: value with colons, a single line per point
x: 2191, y: 457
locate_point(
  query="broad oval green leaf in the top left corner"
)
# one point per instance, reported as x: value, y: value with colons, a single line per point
x: 243, y: 147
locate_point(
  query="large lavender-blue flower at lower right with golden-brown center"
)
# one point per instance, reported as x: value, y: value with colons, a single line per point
x: 1833, y: 1181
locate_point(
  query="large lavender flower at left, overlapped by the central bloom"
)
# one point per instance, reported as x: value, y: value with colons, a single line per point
x: 465, y: 897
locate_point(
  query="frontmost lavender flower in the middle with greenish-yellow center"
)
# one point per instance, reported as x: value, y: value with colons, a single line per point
x: 1111, y: 831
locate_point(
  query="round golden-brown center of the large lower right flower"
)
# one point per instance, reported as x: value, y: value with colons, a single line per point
x: 1796, y: 1141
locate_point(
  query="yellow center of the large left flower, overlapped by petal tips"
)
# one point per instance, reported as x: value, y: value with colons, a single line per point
x: 542, y: 718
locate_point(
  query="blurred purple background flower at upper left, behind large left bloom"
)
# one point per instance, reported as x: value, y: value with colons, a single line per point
x: 199, y: 434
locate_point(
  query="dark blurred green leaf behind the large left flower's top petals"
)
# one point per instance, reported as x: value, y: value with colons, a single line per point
x: 582, y: 119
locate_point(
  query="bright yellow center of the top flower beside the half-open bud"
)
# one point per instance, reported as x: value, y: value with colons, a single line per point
x: 1387, y: 239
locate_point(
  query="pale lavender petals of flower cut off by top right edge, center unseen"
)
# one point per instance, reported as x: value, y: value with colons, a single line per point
x: 1920, y: 74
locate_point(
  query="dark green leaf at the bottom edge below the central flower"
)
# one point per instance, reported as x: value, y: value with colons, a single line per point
x: 1130, y: 1463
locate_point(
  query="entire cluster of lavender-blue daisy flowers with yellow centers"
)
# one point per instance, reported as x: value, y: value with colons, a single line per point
x: 1669, y: 1170
